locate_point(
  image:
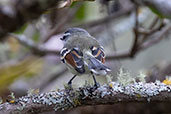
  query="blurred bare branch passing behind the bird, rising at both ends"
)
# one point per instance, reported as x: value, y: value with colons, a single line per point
x: 41, y: 51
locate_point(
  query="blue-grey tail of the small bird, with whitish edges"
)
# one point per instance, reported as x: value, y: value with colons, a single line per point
x: 97, y: 67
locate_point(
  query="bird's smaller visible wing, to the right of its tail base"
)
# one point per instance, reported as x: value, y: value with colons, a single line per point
x: 98, y: 53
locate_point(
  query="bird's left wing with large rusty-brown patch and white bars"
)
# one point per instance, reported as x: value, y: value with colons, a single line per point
x: 74, y: 58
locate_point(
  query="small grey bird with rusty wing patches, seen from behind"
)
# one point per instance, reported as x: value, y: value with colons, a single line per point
x: 82, y: 54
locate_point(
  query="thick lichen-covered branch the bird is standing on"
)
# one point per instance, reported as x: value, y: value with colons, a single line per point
x: 89, y: 95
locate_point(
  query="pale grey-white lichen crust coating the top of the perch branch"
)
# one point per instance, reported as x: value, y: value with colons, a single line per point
x: 65, y: 99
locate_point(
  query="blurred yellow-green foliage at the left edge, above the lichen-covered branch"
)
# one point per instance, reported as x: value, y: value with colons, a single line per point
x: 28, y: 67
